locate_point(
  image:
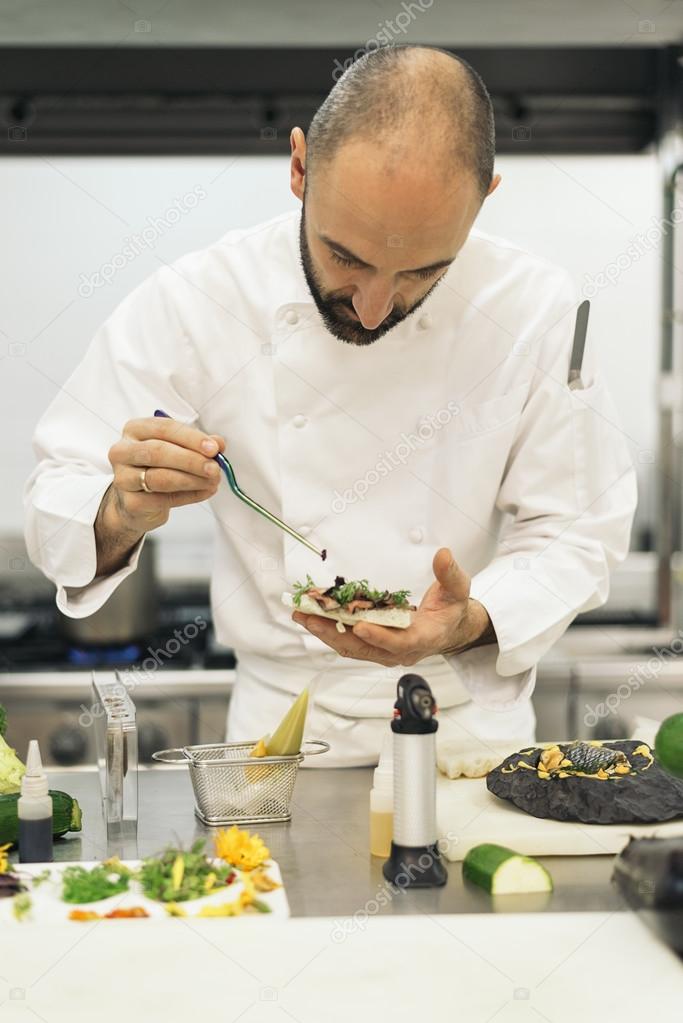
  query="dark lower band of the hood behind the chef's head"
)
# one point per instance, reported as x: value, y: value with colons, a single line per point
x: 166, y: 100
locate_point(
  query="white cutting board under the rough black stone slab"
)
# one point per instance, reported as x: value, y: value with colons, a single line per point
x: 469, y: 815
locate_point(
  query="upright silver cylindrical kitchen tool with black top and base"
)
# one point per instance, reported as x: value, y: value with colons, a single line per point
x: 415, y: 861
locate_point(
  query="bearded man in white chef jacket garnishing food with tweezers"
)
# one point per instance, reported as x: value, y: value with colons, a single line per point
x: 385, y: 379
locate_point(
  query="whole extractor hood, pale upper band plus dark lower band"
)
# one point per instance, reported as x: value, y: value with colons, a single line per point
x: 165, y: 77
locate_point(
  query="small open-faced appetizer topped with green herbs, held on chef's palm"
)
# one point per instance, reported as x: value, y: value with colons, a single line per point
x: 348, y: 603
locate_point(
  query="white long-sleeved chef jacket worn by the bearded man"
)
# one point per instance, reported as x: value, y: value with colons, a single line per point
x: 456, y: 429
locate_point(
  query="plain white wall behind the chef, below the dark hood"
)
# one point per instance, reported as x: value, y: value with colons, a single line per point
x: 65, y: 218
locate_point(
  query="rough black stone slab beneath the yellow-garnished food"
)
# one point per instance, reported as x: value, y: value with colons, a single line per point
x: 650, y: 795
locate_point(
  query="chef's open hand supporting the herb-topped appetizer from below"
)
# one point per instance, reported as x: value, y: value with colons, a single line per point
x: 448, y: 621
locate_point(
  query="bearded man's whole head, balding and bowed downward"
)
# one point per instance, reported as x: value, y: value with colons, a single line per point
x: 392, y: 176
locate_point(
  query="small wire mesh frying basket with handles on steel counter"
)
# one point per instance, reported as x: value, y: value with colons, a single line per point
x: 233, y: 788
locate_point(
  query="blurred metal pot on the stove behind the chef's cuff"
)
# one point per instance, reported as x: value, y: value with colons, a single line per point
x: 130, y: 613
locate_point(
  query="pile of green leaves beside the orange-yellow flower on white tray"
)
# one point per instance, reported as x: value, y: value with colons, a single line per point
x: 179, y: 875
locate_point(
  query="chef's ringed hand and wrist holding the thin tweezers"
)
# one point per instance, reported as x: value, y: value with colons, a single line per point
x: 174, y: 463
